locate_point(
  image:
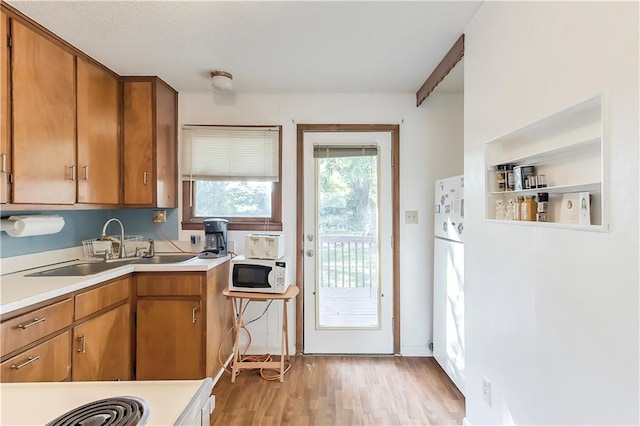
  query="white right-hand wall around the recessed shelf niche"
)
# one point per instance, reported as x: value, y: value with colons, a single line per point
x: 552, y: 314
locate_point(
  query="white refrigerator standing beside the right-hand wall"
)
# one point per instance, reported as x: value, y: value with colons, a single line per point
x: 448, y: 278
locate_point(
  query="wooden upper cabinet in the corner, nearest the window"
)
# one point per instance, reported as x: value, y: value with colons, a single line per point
x: 150, y: 143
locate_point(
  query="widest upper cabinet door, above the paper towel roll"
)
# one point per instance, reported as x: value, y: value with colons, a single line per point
x: 43, y: 120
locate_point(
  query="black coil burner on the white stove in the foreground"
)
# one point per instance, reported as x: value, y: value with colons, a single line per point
x: 115, y: 411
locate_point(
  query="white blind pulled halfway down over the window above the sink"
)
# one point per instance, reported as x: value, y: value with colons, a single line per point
x: 230, y: 153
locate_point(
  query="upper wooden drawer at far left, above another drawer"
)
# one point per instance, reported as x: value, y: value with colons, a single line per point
x: 20, y: 331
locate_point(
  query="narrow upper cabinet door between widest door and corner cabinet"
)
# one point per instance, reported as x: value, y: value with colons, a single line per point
x: 98, y: 148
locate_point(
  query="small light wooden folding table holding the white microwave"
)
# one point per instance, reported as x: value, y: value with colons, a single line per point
x: 244, y: 298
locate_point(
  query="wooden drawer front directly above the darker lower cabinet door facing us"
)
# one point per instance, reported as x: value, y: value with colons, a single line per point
x: 169, y: 285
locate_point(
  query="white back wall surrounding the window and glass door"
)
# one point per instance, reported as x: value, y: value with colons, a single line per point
x: 421, y: 162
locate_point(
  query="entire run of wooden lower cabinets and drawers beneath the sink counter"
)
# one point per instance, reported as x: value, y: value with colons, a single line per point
x: 182, y: 323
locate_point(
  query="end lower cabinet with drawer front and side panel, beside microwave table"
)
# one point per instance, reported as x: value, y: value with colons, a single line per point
x: 182, y: 324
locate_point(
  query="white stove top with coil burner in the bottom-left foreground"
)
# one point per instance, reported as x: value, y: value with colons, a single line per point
x: 176, y: 402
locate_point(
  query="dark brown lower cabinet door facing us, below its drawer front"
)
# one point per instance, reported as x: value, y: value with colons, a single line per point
x: 169, y: 340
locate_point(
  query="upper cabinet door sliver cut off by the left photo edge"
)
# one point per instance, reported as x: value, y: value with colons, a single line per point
x: 5, y: 105
